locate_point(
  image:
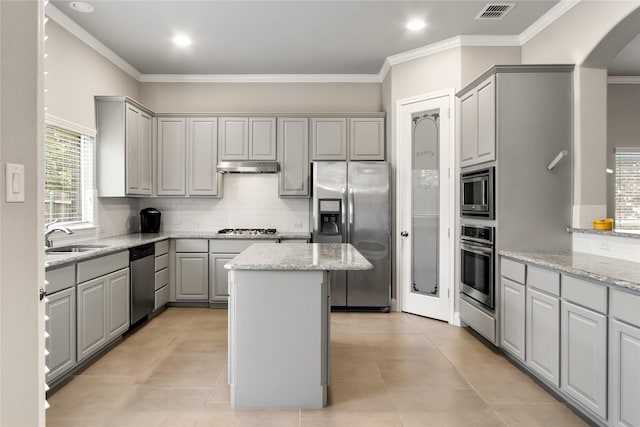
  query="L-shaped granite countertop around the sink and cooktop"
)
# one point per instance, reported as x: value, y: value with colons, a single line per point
x: 126, y: 241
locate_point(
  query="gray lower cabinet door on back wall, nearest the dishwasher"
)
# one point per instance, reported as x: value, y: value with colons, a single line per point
x: 192, y: 276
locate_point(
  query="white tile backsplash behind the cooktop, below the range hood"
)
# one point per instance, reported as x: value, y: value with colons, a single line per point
x: 249, y: 201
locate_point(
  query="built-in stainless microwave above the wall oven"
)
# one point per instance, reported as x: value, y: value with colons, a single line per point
x: 476, y: 193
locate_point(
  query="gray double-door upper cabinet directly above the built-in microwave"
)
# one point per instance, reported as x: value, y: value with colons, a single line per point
x: 478, y: 124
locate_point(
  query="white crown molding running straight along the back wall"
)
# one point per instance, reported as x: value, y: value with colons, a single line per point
x: 259, y: 78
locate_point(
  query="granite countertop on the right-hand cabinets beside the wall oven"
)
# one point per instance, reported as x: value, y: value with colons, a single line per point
x: 612, y: 271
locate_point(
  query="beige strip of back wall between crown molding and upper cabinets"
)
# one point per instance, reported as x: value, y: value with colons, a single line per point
x: 261, y: 97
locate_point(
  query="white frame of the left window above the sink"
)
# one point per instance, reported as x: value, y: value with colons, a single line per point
x: 89, y: 223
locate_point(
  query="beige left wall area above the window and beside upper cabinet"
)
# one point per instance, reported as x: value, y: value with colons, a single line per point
x: 76, y: 73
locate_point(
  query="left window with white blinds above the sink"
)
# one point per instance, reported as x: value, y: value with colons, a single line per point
x: 69, y: 176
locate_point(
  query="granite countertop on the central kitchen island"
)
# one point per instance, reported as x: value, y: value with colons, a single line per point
x: 300, y: 256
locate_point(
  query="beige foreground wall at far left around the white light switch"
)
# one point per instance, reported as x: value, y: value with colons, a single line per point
x: 21, y: 224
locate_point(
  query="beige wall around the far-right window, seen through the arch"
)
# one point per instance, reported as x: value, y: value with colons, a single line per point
x: 623, y: 128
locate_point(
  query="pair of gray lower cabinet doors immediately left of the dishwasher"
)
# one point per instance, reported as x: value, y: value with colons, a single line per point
x: 102, y: 310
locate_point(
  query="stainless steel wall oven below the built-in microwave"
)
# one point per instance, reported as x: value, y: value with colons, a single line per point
x: 477, y: 260
